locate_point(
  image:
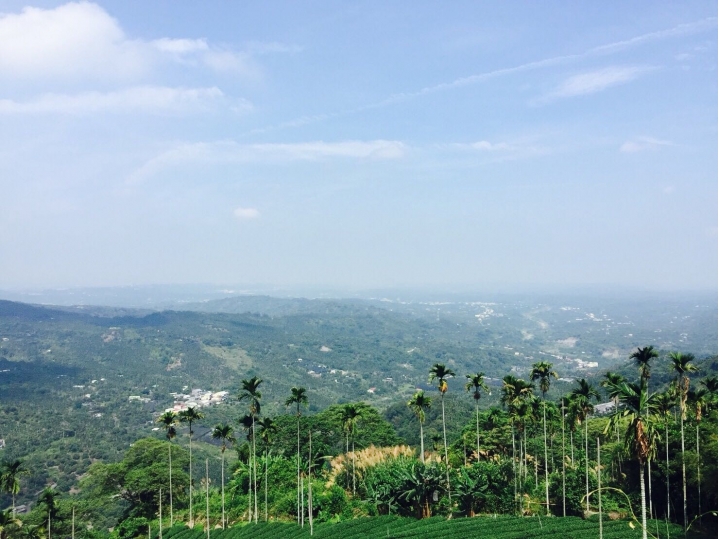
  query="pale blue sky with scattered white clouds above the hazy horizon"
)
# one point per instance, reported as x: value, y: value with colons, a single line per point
x: 359, y: 144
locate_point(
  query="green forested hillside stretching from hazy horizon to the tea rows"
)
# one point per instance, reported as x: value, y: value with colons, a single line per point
x: 79, y: 386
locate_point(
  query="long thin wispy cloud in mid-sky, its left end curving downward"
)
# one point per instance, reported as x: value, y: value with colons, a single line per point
x: 232, y: 152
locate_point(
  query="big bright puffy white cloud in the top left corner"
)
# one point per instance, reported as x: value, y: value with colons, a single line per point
x: 80, y: 40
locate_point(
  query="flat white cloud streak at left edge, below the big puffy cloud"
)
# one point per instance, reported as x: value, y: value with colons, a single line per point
x: 145, y: 99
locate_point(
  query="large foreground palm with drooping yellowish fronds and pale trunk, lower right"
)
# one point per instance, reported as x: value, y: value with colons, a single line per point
x: 639, y: 406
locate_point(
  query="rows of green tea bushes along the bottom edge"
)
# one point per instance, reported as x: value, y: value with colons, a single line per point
x: 436, y: 528
